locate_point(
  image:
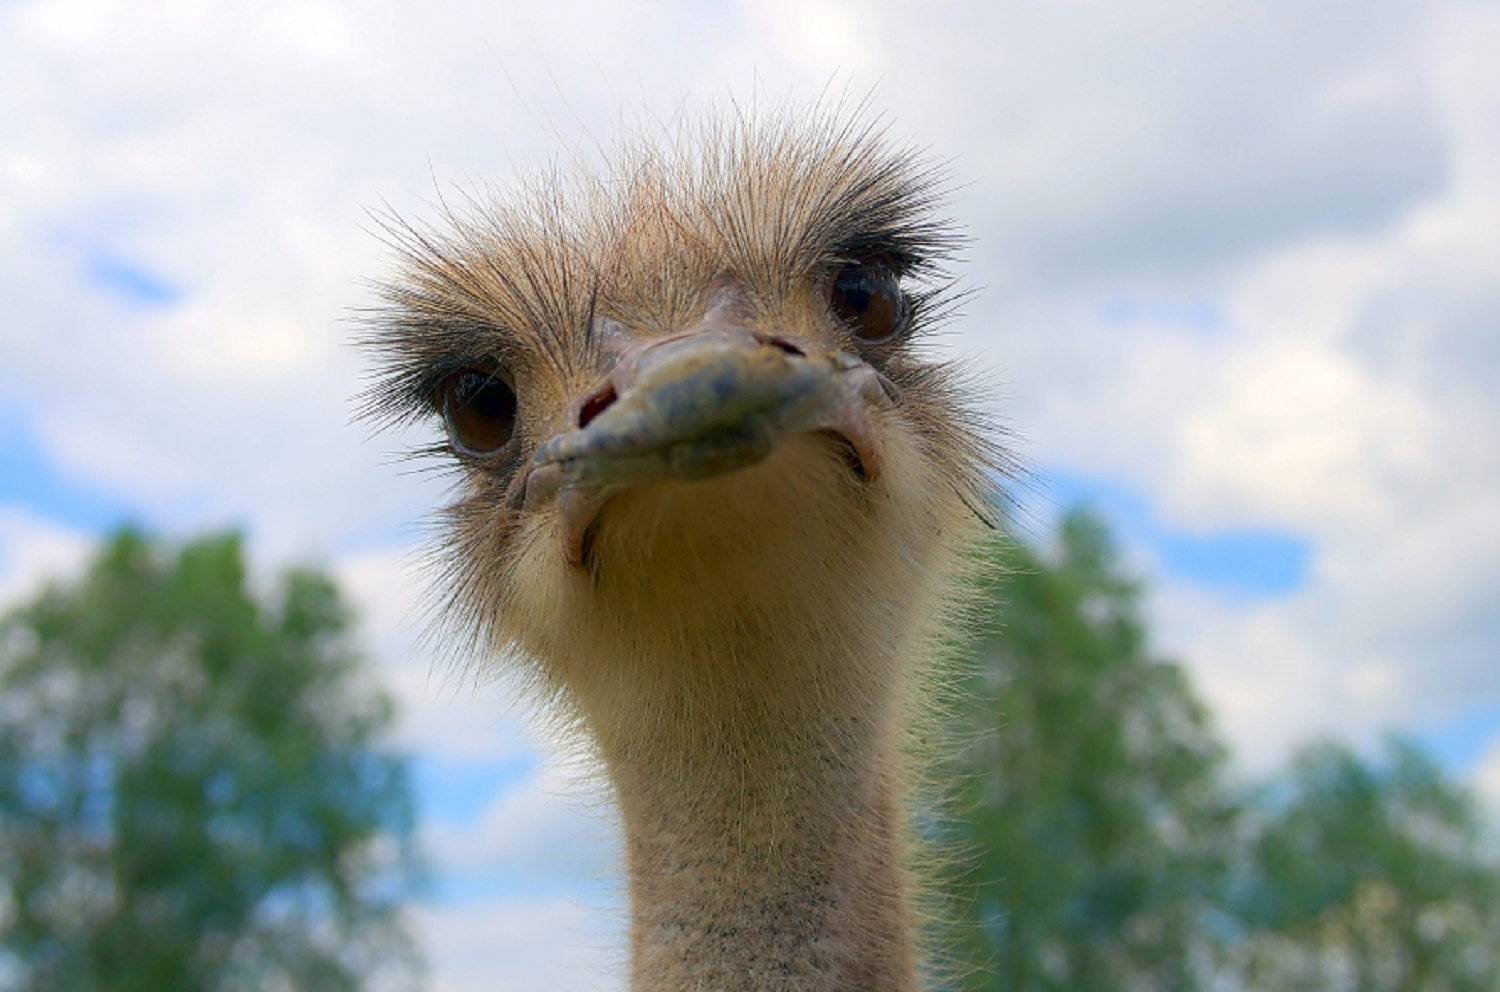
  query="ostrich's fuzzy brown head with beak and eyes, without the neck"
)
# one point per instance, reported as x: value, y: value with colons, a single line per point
x: 688, y: 395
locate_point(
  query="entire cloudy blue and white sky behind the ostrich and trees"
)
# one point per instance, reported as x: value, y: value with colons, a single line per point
x: 1237, y: 278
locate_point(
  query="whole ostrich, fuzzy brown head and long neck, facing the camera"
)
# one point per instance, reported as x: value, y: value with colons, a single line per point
x: 713, y: 504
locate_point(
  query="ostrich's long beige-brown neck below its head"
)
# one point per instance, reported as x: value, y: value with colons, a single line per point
x: 763, y: 814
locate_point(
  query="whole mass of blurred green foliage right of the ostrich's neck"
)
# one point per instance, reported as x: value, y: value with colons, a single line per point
x: 1112, y: 850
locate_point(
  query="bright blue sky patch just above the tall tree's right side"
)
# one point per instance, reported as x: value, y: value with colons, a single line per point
x: 1243, y: 562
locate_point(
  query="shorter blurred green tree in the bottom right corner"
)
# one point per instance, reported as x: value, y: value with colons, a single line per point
x: 1372, y: 879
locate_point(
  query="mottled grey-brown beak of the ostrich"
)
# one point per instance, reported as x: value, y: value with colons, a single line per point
x: 698, y: 406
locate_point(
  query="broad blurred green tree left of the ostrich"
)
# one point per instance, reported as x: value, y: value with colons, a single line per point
x: 193, y: 796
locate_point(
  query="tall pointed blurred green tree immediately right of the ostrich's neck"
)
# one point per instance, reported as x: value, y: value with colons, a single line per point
x: 1093, y: 793
